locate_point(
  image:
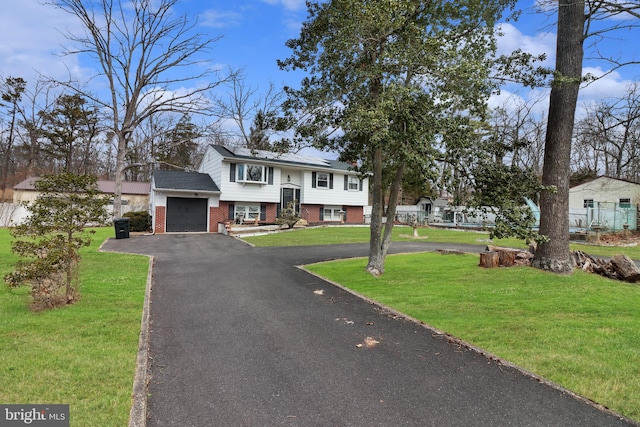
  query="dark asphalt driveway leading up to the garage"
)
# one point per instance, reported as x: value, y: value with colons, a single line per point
x: 241, y: 337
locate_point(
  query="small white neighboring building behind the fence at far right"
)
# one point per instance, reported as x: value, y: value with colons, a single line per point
x: 604, y: 203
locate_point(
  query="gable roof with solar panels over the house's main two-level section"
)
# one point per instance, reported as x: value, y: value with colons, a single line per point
x: 240, y: 153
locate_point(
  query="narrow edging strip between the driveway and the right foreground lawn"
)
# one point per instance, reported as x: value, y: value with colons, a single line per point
x: 455, y: 340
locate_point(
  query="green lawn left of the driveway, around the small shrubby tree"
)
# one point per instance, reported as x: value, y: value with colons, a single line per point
x: 83, y: 355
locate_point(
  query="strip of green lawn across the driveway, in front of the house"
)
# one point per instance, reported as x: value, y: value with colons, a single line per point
x: 346, y: 234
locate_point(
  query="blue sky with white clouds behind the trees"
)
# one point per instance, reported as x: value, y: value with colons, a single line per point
x: 253, y: 34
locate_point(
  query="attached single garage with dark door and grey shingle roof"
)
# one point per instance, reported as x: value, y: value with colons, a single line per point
x: 182, y: 201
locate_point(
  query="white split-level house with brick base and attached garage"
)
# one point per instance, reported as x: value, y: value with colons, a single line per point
x: 252, y: 186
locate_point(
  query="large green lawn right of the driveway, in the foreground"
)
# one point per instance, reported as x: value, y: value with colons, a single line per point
x: 580, y: 331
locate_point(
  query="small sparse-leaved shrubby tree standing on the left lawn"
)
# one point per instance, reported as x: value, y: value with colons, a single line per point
x: 49, y: 240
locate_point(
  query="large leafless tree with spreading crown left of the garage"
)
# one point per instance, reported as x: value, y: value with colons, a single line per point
x: 146, y: 56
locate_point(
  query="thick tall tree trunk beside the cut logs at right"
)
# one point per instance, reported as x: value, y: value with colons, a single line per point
x: 555, y: 255
